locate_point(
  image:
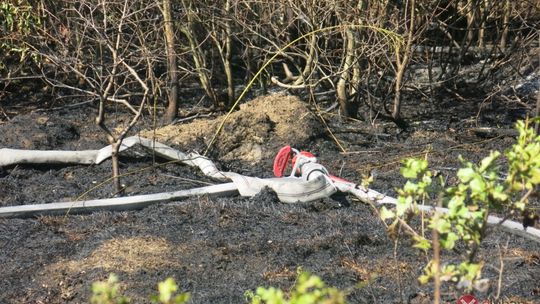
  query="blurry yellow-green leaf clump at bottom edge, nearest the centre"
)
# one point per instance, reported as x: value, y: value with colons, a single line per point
x: 309, y: 289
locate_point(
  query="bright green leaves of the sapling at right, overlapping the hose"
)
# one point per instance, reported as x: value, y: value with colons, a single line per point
x: 479, y: 191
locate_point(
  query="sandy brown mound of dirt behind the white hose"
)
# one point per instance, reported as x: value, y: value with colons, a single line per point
x: 253, y: 133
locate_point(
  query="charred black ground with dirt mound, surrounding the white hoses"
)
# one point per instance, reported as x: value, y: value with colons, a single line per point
x: 217, y: 248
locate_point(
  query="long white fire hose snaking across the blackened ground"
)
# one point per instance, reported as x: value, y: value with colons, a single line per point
x: 313, y: 185
